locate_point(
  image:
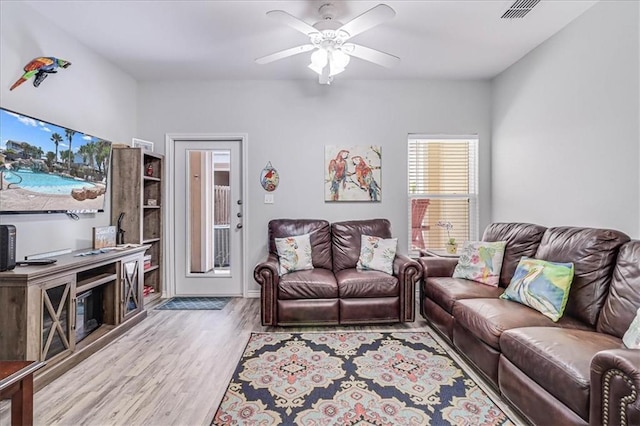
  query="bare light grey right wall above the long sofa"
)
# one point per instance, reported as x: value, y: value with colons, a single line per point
x: 566, y: 132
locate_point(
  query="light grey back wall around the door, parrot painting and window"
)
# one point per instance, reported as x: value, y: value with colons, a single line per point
x: 289, y: 123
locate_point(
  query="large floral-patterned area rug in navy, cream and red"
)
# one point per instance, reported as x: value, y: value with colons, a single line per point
x: 349, y: 378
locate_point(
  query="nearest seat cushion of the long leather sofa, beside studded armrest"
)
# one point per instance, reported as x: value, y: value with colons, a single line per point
x: 558, y: 359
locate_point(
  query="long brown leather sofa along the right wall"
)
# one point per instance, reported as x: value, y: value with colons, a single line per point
x: 574, y: 371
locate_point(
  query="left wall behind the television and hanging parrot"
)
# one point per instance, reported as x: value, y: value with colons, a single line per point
x: 92, y: 96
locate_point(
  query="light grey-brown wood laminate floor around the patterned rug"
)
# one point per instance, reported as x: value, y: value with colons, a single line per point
x: 171, y: 369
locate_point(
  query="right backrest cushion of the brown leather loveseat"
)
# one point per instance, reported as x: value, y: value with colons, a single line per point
x: 345, y: 237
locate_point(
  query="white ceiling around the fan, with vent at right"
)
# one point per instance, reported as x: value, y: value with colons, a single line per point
x: 175, y: 40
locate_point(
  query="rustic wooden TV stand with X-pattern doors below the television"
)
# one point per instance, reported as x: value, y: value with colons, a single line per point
x: 47, y: 310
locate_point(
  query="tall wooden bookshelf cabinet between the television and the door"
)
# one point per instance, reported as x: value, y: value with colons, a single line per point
x: 137, y: 191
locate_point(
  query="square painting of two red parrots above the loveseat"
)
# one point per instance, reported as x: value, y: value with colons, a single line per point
x: 353, y: 173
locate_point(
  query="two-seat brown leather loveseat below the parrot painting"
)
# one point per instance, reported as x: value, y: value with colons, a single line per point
x: 334, y: 292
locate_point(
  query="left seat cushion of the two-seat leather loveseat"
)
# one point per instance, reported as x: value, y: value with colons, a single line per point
x: 310, y: 284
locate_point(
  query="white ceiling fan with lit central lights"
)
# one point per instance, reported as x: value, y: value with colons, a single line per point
x: 328, y: 40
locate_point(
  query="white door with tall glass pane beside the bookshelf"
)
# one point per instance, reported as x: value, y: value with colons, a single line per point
x: 208, y: 218
